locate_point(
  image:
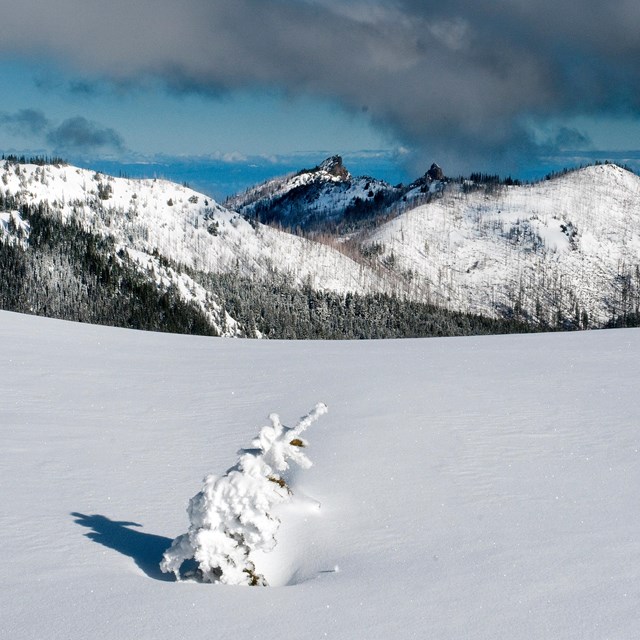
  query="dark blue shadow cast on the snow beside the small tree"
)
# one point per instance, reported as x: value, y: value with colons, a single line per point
x: 145, y: 549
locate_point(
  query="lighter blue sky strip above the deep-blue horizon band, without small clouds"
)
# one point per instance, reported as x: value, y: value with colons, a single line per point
x: 152, y: 119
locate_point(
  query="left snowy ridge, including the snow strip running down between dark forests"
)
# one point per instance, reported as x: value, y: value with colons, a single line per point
x: 168, y: 232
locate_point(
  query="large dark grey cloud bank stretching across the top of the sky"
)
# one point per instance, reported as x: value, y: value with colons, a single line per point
x: 463, y: 80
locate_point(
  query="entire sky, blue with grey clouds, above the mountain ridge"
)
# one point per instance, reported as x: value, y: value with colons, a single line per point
x: 230, y: 92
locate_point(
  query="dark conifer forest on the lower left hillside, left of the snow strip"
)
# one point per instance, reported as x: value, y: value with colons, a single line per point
x: 69, y: 273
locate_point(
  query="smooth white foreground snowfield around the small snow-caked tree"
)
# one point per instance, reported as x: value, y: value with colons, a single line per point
x: 466, y: 487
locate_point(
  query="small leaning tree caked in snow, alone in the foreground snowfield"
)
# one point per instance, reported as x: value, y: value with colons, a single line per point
x: 231, y: 515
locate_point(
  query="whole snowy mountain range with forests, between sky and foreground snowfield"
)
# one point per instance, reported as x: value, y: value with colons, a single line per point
x: 322, y: 253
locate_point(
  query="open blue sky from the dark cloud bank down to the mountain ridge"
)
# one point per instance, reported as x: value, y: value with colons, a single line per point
x: 220, y: 143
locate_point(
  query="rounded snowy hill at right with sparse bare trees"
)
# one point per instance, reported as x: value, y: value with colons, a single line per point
x: 570, y: 245
